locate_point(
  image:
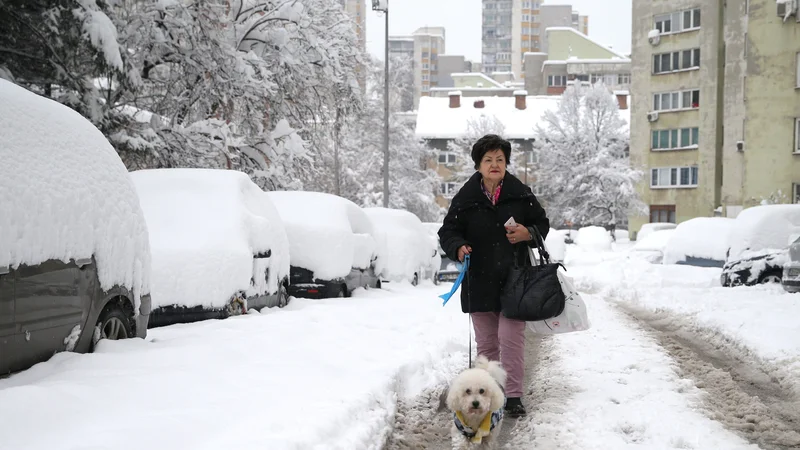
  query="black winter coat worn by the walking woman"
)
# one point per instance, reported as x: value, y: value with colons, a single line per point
x: 473, y: 220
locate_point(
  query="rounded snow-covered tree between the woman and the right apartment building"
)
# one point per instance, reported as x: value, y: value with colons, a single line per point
x: 584, y: 165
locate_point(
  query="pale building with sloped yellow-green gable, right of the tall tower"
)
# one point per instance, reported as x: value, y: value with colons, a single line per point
x: 573, y: 56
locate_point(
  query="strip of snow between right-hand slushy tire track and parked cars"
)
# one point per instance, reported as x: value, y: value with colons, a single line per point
x: 756, y: 324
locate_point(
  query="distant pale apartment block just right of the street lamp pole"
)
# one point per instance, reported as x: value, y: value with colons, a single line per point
x: 424, y: 47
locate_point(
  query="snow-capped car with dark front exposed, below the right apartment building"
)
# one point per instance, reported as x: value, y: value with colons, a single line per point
x: 758, y: 245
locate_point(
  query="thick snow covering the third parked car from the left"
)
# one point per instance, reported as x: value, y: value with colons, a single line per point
x: 328, y: 235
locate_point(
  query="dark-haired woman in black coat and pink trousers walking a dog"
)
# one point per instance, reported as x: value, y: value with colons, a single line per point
x: 475, y: 226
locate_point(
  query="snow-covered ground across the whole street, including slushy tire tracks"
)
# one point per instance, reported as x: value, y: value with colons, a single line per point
x: 672, y: 361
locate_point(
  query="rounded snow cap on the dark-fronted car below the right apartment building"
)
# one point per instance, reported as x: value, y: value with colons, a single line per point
x: 763, y: 229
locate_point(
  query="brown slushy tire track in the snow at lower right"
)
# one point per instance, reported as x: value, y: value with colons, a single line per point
x: 740, y: 395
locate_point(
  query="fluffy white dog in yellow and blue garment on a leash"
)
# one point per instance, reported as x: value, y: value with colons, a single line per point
x: 477, y: 398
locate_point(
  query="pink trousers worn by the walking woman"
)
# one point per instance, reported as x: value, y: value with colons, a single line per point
x: 502, y: 339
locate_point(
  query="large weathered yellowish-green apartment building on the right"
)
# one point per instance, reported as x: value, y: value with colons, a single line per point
x: 716, y: 106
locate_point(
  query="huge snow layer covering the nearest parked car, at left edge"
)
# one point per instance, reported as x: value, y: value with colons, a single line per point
x: 65, y: 194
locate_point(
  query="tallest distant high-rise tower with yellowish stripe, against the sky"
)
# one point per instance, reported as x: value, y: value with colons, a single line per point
x: 512, y: 28
